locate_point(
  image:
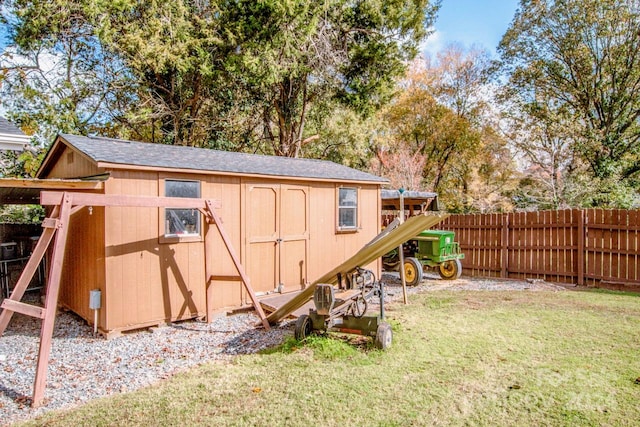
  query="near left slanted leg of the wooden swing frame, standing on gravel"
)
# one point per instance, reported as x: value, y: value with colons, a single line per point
x: 51, y: 301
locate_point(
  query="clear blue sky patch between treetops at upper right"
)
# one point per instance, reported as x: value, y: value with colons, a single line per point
x: 471, y: 22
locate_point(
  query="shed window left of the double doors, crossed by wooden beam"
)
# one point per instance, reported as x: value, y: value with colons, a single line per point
x: 182, y: 222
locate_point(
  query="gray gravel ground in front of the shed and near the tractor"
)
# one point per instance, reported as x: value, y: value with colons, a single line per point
x: 84, y: 367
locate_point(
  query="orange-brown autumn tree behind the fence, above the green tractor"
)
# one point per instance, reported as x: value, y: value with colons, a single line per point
x: 439, y: 120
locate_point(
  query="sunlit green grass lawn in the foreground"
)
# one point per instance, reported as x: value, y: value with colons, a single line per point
x: 458, y: 358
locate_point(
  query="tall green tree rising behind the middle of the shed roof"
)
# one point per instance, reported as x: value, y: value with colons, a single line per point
x: 298, y: 55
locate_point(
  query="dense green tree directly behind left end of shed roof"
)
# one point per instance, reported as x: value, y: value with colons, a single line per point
x: 175, y: 54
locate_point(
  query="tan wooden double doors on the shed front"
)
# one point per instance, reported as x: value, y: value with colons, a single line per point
x: 277, y: 236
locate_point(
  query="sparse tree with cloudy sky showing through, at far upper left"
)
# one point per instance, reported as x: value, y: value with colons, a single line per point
x: 56, y: 76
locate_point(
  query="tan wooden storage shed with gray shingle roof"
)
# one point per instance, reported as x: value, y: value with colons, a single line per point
x: 290, y: 220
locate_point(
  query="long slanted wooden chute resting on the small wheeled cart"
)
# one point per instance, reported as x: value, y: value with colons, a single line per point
x: 390, y: 238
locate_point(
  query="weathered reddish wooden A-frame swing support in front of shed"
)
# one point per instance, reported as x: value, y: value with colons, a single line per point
x: 57, y: 225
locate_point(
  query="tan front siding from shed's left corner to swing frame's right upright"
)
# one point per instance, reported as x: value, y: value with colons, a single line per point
x: 148, y: 281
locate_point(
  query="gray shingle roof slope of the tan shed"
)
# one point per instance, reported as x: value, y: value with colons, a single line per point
x: 200, y: 159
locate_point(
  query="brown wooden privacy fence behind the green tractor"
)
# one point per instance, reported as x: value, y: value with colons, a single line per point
x: 593, y: 247
